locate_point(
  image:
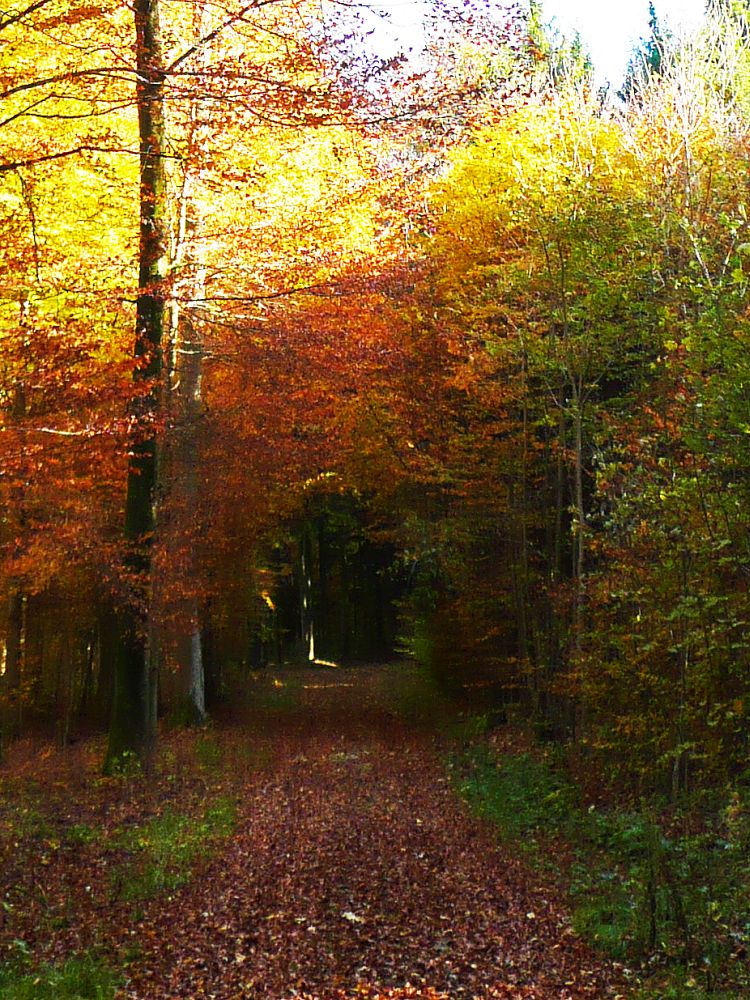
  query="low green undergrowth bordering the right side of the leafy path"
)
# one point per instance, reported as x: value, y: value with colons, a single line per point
x: 676, y: 906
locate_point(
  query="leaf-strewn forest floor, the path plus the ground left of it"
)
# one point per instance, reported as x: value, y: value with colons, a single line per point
x: 308, y: 846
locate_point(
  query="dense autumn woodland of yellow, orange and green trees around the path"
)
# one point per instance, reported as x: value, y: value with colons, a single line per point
x: 313, y: 355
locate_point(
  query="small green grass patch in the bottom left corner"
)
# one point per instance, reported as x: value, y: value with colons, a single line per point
x: 82, y: 978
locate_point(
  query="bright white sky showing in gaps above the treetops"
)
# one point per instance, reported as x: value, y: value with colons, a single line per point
x: 609, y: 28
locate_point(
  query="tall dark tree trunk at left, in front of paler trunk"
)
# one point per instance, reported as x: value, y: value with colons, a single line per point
x: 133, y: 726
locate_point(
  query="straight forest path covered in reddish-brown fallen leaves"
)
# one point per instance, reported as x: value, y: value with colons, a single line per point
x: 354, y: 862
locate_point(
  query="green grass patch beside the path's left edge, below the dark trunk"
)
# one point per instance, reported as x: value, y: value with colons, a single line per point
x: 164, y: 850
